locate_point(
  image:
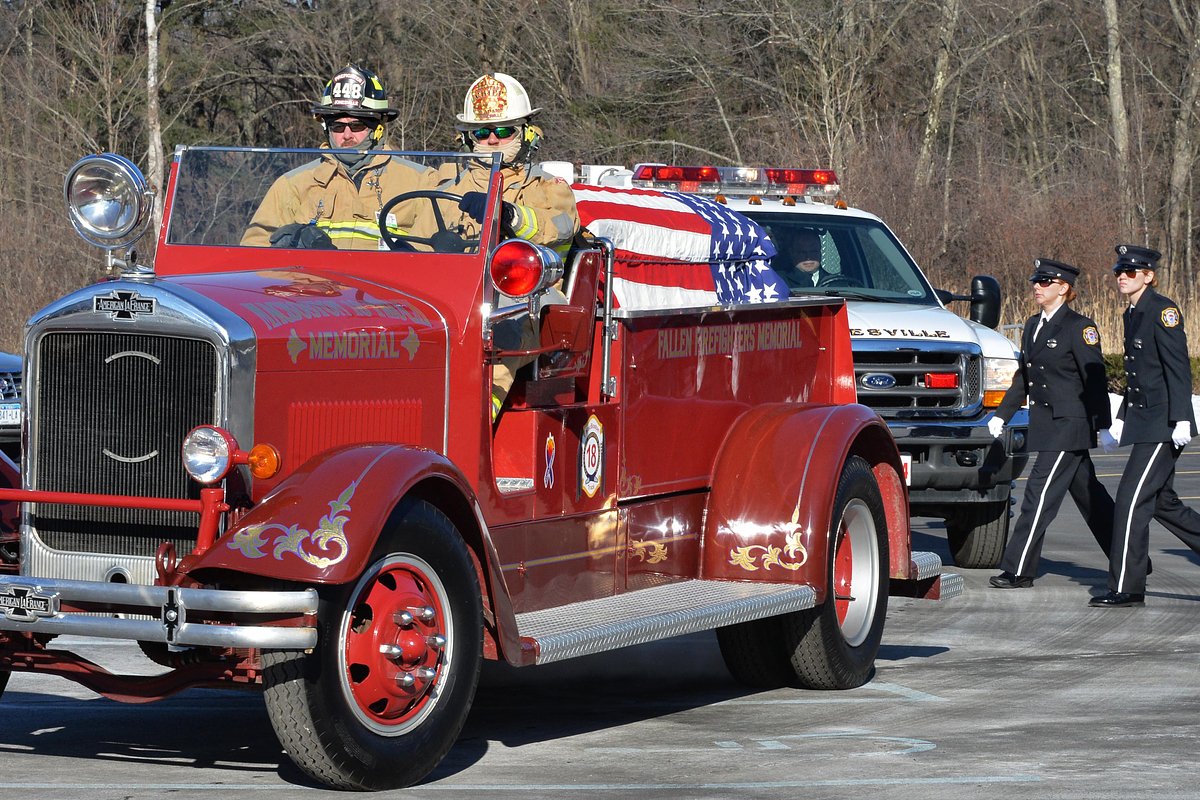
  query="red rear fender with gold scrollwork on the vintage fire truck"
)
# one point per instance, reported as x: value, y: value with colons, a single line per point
x: 773, y: 489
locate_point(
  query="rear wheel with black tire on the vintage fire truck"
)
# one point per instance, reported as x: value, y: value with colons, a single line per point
x: 835, y: 645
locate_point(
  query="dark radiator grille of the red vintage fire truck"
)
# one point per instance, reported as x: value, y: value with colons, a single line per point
x: 112, y: 413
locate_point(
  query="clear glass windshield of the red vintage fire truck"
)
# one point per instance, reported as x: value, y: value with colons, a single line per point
x: 305, y: 200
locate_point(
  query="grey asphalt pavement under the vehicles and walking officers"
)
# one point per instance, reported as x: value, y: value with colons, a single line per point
x: 1022, y: 694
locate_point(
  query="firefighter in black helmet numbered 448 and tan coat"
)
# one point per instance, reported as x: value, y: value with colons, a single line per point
x: 335, y: 201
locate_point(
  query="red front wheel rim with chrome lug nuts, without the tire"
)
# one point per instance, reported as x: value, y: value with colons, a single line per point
x: 397, y: 645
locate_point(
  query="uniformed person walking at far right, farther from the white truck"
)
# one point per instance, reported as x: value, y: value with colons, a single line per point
x: 1156, y: 418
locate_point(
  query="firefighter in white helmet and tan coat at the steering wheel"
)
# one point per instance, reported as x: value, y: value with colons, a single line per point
x: 537, y: 207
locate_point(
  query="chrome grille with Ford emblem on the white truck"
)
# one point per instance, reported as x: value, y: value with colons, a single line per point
x: 897, y: 383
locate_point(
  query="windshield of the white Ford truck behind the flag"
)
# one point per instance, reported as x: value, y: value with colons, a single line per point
x: 848, y: 257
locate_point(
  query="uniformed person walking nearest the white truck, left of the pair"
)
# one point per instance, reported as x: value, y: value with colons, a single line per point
x: 1063, y: 376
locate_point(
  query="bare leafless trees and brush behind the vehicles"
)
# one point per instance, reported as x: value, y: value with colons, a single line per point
x: 987, y: 133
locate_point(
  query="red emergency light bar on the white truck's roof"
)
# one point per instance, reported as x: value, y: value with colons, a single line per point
x: 818, y: 185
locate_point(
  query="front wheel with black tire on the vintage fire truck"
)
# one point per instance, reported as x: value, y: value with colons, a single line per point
x: 385, y: 695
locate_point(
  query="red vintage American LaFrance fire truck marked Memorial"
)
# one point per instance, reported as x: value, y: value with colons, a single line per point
x: 277, y: 468
